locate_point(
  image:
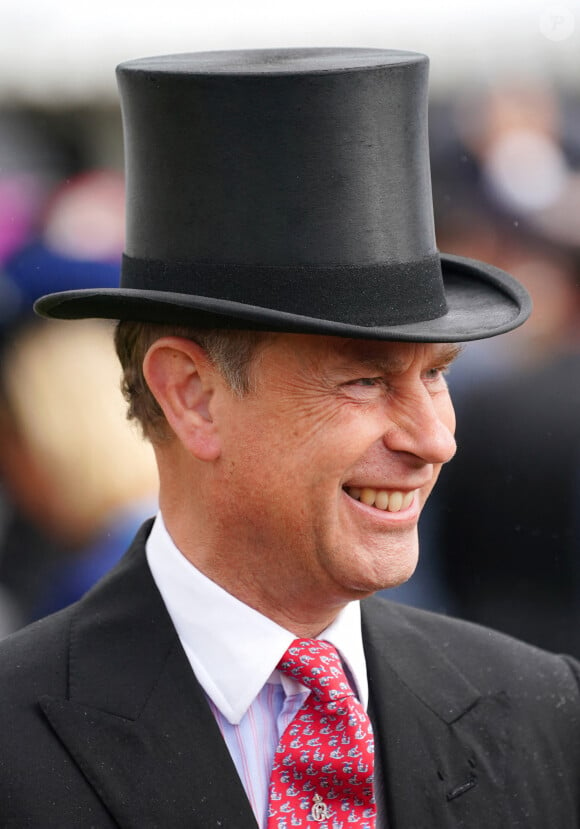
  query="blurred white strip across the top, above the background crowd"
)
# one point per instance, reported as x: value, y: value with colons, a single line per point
x: 66, y: 50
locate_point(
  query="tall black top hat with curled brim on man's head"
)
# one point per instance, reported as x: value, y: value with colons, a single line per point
x: 289, y: 190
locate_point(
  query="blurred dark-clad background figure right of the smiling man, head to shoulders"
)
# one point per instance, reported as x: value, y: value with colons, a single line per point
x: 502, y: 533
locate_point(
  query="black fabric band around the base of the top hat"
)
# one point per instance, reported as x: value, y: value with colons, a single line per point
x: 367, y: 295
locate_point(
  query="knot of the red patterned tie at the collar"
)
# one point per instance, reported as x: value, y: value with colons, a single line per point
x: 316, y: 664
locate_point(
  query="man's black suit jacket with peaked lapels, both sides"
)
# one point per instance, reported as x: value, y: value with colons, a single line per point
x: 103, y: 724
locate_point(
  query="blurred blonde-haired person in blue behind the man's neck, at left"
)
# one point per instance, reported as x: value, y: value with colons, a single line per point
x: 68, y: 457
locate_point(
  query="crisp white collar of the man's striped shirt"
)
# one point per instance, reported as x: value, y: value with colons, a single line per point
x: 233, y: 649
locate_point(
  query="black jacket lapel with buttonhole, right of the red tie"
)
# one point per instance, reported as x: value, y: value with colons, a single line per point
x: 433, y: 729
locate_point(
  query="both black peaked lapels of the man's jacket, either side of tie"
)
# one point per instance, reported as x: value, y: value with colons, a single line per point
x: 137, y: 723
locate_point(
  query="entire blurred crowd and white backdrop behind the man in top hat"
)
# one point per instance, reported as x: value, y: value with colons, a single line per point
x: 500, y: 538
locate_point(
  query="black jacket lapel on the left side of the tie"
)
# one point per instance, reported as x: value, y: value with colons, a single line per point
x: 135, y: 720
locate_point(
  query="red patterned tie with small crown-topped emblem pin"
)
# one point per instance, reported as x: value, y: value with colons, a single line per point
x: 323, y: 766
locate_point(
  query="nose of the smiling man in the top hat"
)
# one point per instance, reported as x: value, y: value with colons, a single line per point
x: 423, y: 425
